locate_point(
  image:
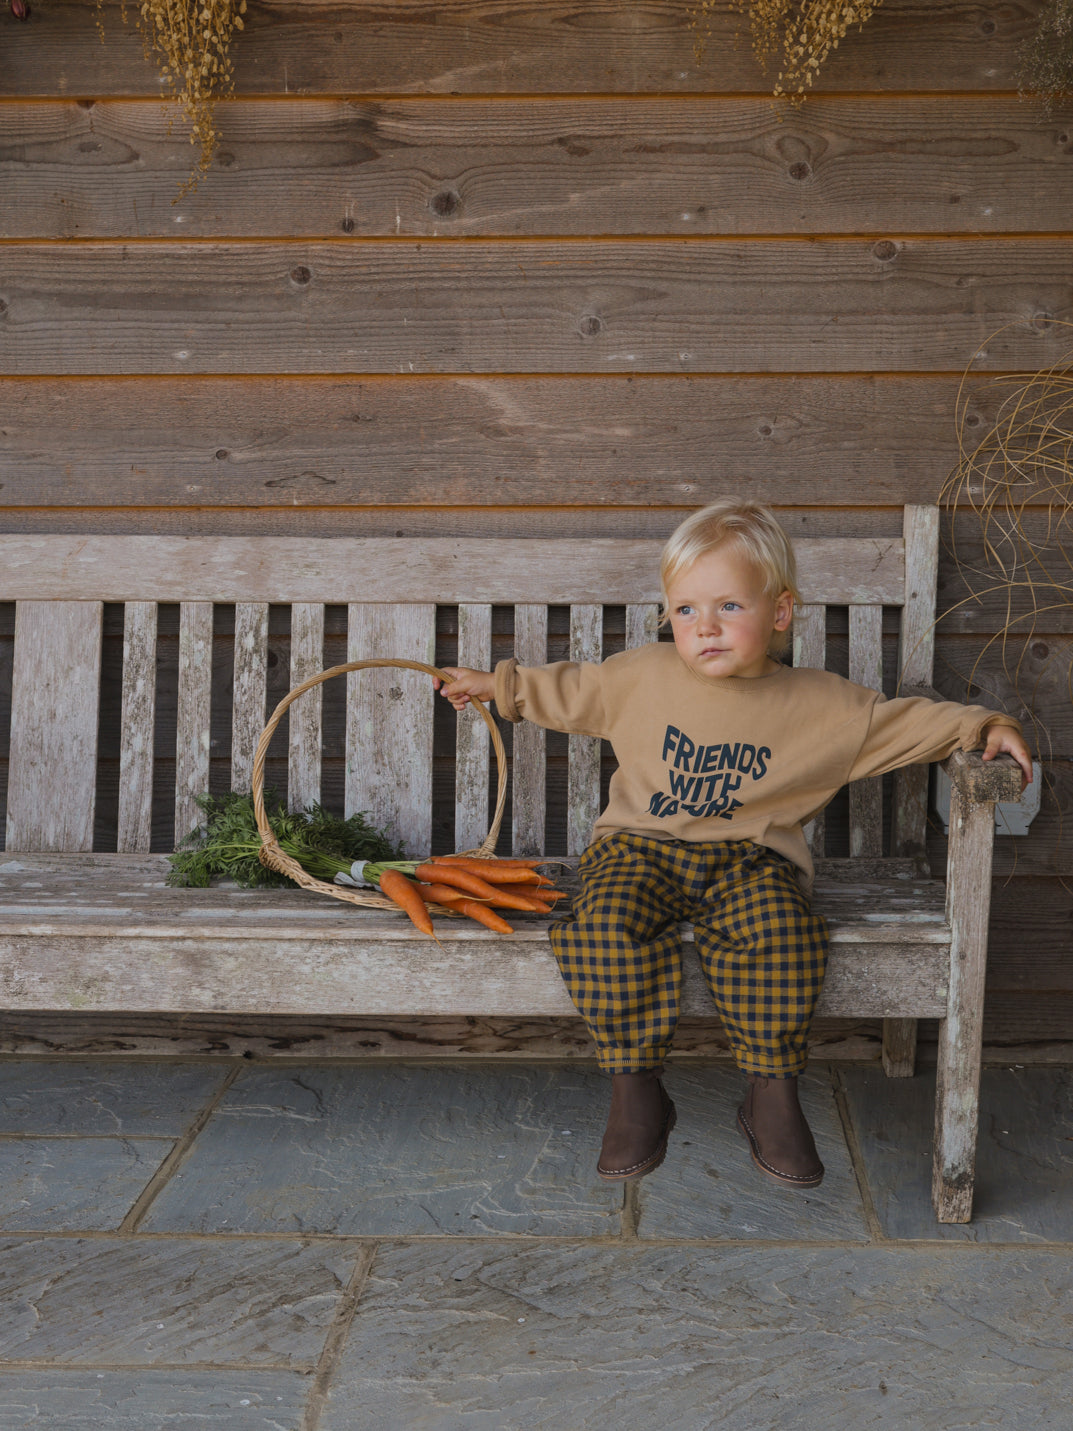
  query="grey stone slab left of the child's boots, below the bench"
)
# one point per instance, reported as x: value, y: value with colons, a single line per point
x: 388, y: 1151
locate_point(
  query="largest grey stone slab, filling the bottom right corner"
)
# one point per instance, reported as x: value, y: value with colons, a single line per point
x: 489, y: 1337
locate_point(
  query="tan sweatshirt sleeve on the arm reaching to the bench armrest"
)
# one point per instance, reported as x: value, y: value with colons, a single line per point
x: 913, y: 731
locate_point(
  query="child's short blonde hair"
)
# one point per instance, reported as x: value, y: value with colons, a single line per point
x: 753, y: 530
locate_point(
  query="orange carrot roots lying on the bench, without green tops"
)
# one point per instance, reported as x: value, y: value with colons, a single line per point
x: 467, y: 885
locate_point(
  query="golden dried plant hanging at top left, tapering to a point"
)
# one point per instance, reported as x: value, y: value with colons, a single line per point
x: 191, y: 44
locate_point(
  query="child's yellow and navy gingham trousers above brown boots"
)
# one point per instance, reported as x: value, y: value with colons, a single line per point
x: 762, y: 948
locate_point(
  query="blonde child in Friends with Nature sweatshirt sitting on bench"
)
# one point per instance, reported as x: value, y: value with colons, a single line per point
x: 723, y: 756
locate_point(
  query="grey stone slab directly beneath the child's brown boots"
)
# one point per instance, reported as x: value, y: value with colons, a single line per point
x: 710, y: 1188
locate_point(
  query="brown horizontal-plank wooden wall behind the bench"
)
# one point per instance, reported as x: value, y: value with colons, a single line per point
x: 479, y: 268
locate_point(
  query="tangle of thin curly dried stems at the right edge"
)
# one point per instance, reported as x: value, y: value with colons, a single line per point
x: 1018, y: 484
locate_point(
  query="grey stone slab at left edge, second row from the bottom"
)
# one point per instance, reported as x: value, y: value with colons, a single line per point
x: 145, y: 1301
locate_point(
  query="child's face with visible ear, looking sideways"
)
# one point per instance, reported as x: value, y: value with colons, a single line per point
x: 723, y: 620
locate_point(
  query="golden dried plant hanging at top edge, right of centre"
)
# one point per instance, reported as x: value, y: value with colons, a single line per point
x: 795, y: 35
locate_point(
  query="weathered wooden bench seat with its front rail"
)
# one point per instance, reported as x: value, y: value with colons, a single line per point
x: 105, y: 932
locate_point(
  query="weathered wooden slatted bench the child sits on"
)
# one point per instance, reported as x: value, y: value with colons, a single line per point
x: 85, y: 929
